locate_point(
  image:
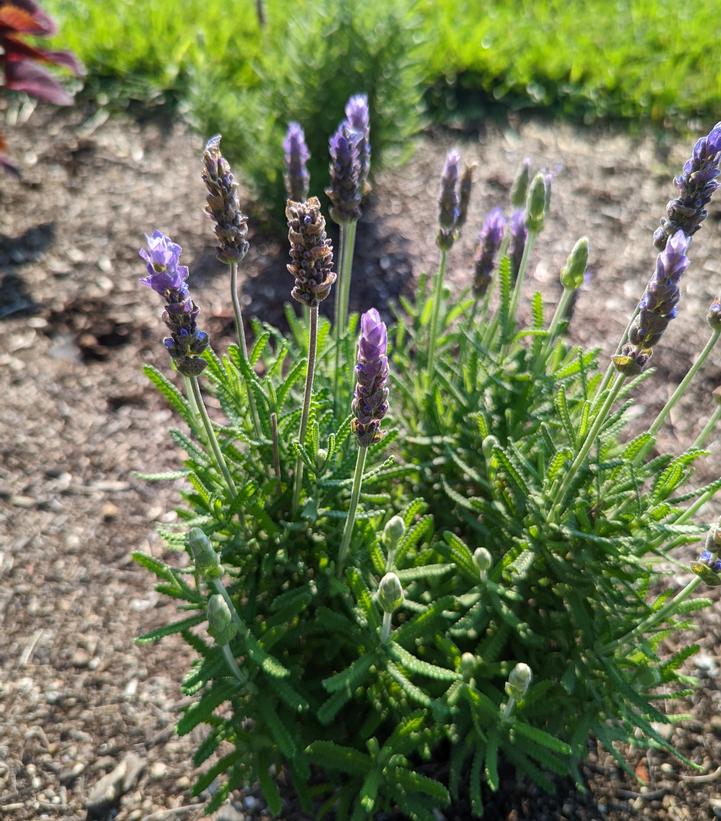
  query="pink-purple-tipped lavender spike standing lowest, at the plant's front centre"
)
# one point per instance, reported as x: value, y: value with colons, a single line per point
x: 370, y: 401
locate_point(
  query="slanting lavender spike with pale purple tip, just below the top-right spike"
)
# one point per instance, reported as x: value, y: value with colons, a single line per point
x: 658, y: 306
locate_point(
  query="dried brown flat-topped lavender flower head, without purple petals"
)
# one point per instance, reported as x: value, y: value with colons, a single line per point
x: 311, y: 252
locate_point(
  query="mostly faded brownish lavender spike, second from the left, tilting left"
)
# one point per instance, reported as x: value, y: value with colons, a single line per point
x: 231, y: 225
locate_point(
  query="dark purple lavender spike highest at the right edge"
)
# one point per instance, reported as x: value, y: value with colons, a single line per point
x: 696, y: 185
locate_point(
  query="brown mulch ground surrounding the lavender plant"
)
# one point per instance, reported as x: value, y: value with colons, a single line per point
x: 77, y: 417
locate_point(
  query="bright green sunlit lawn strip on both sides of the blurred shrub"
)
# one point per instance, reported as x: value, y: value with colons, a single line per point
x: 649, y: 59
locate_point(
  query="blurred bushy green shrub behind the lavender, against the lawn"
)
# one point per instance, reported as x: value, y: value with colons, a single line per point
x: 334, y: 49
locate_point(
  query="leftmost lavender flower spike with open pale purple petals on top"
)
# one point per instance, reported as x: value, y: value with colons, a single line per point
x: 168, y: 278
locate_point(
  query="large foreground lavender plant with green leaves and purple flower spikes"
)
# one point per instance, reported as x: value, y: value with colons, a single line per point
x: 384, y: 619
